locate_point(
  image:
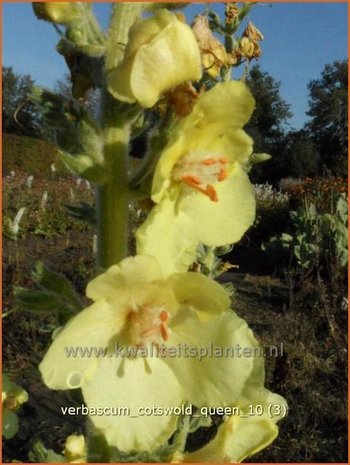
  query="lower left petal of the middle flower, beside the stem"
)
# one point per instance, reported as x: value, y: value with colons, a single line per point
x: 169, y: 236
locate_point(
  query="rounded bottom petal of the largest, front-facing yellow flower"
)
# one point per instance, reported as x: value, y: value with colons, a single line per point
x: 134, y: 384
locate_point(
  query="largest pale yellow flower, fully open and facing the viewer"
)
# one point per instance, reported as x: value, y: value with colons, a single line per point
x: 142, y: 318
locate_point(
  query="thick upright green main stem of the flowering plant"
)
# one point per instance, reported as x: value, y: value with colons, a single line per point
x: 112, y: 197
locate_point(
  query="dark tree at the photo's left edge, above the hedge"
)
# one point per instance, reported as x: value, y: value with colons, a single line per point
x: 18, y: 114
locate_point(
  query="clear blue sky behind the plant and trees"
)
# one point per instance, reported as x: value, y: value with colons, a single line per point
x: 300, y: 38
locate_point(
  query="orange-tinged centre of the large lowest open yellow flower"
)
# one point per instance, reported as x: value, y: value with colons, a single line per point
x: 147, y: 325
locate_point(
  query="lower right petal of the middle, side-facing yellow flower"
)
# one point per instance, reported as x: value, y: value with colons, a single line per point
x: 225, y: 221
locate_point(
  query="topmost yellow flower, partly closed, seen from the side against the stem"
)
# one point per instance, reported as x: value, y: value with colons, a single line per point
x: 162, y: 52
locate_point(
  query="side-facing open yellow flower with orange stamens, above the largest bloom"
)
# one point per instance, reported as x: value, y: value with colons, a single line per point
x: 200, y: 185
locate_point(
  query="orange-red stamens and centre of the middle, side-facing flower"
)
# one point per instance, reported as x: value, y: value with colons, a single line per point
x: 201, y: 171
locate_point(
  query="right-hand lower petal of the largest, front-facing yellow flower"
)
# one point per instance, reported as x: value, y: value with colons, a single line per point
x: 211, y: 348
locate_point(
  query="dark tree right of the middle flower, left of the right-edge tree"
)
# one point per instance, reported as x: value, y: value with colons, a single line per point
x: 268, y: 124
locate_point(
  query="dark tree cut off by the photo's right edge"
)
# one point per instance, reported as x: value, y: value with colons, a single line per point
x: 328, y: 117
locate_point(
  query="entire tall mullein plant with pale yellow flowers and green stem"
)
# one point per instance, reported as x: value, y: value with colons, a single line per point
x: 151, y: 64
